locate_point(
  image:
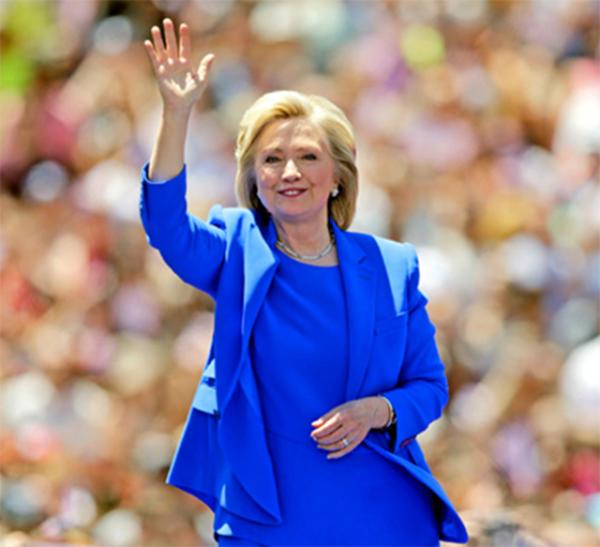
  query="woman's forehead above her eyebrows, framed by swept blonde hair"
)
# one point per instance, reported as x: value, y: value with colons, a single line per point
x: 294, y: 132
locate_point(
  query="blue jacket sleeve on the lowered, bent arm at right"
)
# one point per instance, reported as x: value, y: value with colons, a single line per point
x: 422, y: 391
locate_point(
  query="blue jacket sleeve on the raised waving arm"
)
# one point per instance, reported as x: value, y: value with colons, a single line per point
x: 193, y: 248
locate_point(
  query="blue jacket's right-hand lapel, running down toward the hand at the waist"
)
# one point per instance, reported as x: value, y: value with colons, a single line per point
x: 359, y: 286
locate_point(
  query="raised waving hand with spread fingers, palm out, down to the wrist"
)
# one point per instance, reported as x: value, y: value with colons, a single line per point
x: 179, y: 83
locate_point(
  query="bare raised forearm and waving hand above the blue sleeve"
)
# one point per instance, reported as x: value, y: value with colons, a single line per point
x: 180, y: 85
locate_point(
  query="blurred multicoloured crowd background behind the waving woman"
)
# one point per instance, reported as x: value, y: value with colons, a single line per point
x: 478, y: 128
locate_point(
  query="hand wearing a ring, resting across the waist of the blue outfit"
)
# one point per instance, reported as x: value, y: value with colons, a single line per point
x: 344, y: 427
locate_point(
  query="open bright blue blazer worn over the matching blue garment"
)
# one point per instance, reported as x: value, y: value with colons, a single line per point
x: 223, y: 456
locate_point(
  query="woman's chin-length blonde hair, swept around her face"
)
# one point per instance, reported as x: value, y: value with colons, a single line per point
x: 278, y: 105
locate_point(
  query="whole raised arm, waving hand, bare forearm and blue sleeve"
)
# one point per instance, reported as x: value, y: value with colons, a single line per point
x: 194, y: 249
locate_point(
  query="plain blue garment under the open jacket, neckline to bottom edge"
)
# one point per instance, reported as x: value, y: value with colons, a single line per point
x: 298, y: 381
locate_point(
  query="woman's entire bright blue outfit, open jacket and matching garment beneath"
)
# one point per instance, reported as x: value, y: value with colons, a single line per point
x: 291, y: 342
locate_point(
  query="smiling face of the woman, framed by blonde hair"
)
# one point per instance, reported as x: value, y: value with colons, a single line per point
x: 294, y: 171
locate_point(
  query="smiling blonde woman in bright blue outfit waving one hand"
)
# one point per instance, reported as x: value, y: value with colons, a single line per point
x: 323, y: 366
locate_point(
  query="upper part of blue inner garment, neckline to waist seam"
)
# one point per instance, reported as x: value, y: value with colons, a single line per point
x: 304, y: 377
